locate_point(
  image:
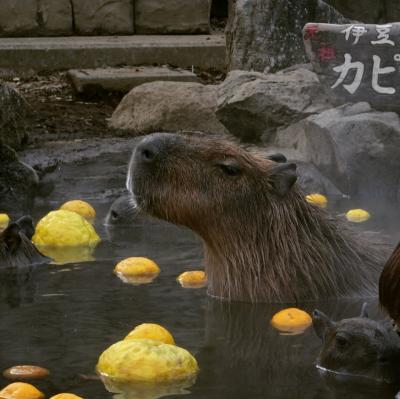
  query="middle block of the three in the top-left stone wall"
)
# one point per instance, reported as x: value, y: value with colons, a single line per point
x: 103, y: 16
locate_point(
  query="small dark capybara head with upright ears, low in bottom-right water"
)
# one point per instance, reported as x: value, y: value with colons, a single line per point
x: 358, y: 347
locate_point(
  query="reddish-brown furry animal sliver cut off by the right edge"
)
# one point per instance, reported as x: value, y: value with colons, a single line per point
x: 389, y: 286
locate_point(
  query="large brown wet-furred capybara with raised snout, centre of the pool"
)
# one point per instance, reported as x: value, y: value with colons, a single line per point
x: 263, y: 240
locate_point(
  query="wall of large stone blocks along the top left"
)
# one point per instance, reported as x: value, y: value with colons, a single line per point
x: 103, y: 17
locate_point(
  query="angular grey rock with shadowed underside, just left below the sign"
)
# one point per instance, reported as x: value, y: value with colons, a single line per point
x: 252, y: 105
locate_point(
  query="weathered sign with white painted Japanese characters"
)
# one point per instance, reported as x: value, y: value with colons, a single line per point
x: 357, y: 62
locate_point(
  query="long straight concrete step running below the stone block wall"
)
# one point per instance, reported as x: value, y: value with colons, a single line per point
x: 45, y: 54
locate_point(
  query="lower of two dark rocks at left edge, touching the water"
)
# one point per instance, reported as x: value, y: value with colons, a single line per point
x: 19, y: 184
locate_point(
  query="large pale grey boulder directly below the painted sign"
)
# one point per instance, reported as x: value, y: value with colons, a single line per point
x: 356, y: 147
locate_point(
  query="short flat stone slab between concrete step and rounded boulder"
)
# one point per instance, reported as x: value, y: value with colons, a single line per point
x: 124, y: 79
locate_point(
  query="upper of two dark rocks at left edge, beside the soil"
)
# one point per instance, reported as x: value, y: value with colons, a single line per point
x: 13, y: 112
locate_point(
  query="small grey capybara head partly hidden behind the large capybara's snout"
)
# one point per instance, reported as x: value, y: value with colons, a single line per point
x: 123, y: 211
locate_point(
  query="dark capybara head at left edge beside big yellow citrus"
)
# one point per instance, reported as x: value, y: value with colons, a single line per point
x: 16, y: 248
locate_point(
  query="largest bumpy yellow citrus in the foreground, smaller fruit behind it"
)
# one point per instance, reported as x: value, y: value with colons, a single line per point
x: 146, y: 361
